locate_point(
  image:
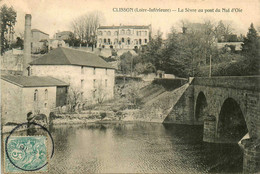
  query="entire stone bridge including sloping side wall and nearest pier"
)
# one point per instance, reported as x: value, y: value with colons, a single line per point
x: 229, y: 108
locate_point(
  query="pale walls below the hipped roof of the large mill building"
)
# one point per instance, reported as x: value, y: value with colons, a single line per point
x: 81, y: 79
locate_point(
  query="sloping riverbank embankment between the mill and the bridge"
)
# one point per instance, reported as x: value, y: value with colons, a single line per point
x: 157, y: 104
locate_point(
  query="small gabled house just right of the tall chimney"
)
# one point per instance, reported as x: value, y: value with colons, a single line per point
x: 39, y: 41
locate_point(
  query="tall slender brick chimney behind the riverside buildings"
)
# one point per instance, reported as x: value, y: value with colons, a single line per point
x: 27, y: 44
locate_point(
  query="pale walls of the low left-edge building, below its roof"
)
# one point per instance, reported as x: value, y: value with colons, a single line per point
x: 17, y: 101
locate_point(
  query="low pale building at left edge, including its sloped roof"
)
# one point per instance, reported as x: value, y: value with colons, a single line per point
x: 23, y: 94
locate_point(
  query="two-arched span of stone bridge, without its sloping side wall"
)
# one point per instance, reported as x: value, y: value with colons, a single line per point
x: 228, y: 107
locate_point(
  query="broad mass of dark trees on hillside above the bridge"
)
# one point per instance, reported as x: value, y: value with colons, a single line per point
x: 189, y: 53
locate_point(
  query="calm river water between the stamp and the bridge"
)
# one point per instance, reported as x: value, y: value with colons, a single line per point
x: 139, y: 148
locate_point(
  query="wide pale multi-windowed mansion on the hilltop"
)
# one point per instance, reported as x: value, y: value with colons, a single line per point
x: 123, y: 37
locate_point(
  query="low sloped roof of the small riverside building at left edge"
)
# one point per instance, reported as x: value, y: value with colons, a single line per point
x: 33, y: 81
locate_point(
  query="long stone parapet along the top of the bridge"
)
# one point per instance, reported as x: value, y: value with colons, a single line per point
x: 235, y: 82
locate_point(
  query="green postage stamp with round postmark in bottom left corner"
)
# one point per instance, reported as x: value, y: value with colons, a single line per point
x: 26, y: 153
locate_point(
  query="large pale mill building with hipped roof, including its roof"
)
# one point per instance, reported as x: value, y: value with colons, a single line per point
x: 86, y: 73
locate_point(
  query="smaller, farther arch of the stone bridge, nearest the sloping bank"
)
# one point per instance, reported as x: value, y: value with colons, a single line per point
x: 200, y: 108
